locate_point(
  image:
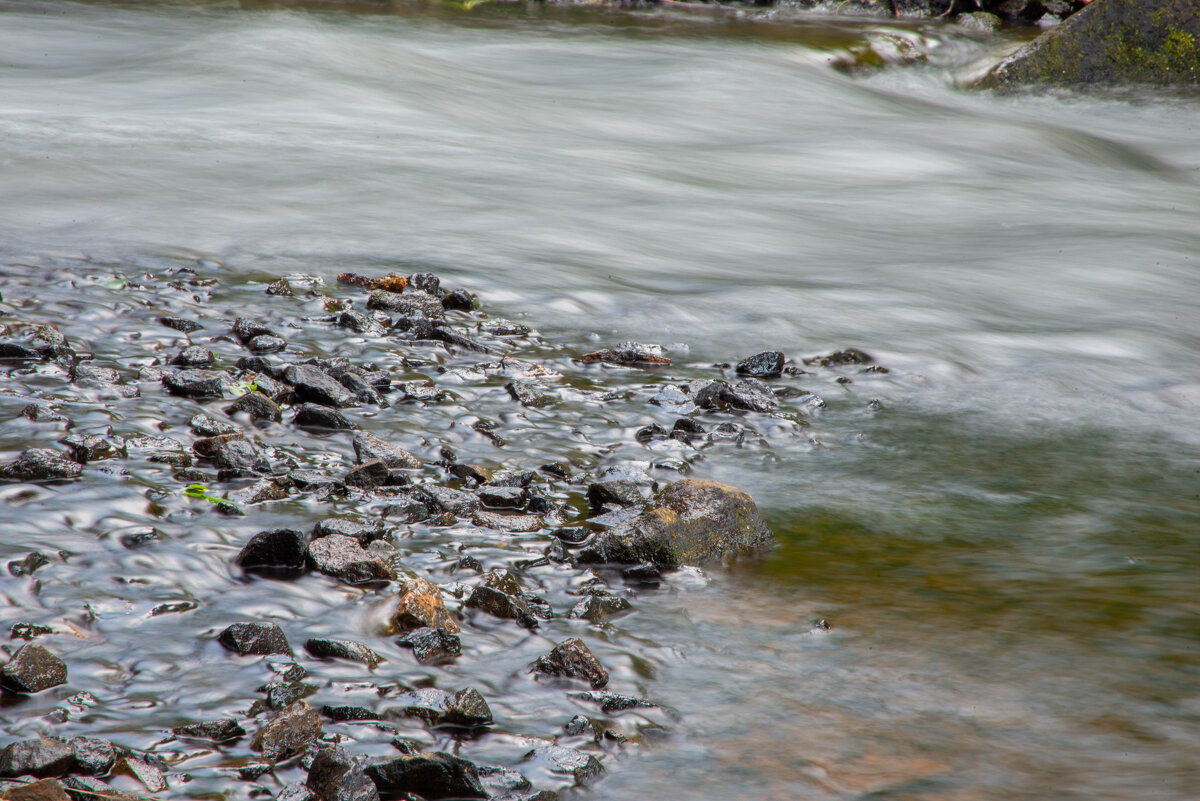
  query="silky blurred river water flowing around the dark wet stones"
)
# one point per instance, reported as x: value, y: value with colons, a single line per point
x: 1006, y: 551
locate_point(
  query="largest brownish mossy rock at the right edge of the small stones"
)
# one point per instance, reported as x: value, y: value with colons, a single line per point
x: 691, y: 522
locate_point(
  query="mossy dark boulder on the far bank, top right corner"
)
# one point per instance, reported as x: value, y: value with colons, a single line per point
x: 1112, y: 43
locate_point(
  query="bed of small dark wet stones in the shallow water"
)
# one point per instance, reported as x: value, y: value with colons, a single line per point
x: 602, y: 533
